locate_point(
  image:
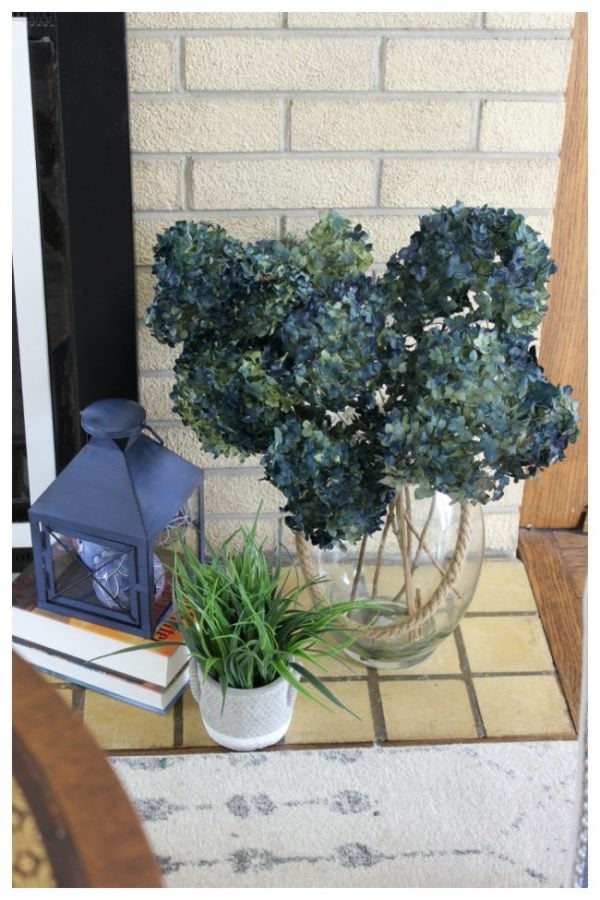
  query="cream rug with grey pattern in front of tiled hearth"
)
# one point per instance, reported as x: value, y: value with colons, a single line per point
x: 495, y: 815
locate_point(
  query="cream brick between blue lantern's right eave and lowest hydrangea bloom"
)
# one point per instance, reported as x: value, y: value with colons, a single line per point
x: 228, y: 493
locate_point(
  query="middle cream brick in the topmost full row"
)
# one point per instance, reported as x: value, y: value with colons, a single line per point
x: 279, y: 64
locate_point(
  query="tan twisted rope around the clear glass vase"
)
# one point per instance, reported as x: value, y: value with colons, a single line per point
x: 414, y: 622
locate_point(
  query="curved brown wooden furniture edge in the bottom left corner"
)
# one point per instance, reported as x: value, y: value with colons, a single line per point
x: 92, y: 833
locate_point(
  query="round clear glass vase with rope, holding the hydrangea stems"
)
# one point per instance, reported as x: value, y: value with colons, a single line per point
x: 422, y: 568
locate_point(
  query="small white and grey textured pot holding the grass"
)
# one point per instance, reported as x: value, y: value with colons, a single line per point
x: 250, y: 719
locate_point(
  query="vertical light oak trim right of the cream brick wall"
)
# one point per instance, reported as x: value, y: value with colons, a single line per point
x: 557, y: 499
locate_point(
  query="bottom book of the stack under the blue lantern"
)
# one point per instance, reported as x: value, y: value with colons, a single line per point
x: 146, y: 695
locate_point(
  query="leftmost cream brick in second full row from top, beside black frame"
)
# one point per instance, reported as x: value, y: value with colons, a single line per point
x: 184, y: 126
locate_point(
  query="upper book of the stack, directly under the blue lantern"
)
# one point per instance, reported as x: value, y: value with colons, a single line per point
x: 84, y: 641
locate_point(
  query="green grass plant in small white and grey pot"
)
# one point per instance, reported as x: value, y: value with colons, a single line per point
x: 253, y: 644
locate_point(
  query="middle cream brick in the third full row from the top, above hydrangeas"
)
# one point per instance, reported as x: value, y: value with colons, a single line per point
x: 286, y: 183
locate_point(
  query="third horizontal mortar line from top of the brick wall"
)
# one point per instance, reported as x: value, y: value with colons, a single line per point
x: 372, y: 155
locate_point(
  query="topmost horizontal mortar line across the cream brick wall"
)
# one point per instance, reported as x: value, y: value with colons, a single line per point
x: 460, y: 34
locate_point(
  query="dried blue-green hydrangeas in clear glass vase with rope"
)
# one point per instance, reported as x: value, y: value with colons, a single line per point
x: 388, y: 410
